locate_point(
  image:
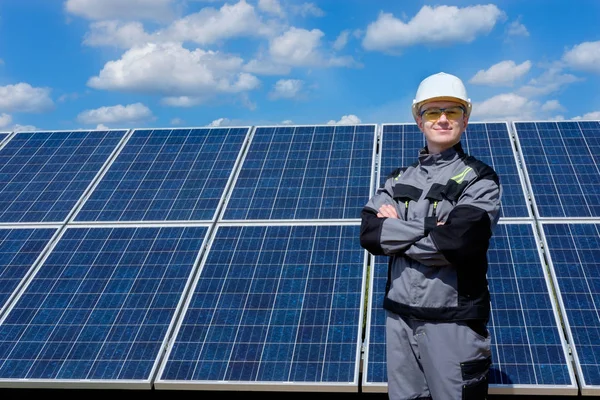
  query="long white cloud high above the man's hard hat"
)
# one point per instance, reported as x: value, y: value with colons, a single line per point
x: 432, y: 25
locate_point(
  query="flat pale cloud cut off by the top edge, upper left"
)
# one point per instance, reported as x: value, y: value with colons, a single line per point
x: 158, y: 10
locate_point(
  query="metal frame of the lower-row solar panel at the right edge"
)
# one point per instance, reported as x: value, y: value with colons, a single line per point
x: 586, y: 389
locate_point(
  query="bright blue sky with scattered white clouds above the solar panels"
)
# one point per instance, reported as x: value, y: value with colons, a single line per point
x: 86, y: 64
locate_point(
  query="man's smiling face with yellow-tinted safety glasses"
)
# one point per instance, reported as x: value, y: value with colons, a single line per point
x: 444, y: 132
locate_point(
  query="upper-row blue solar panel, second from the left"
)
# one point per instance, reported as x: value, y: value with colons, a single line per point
x: 167, y: 174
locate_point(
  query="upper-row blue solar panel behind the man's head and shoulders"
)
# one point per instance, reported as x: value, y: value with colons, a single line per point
x: 489, y: 142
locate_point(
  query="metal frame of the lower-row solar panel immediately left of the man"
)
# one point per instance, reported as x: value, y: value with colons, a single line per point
x: 283, y: 386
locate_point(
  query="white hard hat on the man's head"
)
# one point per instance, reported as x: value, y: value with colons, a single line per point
x: 441, y: 87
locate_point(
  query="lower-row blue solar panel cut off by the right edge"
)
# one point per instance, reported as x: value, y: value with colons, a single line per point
x: 575, y: 258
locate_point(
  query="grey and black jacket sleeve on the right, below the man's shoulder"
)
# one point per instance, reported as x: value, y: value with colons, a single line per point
x: 464, y: 237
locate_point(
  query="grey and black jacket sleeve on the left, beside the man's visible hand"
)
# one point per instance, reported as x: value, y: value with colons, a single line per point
x: 387, y: 236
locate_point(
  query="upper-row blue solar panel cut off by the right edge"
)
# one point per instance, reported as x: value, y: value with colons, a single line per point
x: 562, y: 161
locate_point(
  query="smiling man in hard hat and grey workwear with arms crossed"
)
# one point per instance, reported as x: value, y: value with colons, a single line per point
x: 434, y: 219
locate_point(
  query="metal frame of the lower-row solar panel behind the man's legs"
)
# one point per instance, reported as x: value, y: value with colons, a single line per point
x: 496, y: 389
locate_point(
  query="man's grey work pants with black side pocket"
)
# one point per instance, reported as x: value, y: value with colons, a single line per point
x: 441, y: 361
